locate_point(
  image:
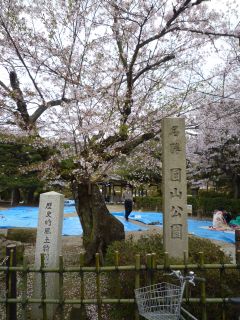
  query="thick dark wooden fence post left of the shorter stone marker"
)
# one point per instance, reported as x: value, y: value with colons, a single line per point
x: 11, y: 282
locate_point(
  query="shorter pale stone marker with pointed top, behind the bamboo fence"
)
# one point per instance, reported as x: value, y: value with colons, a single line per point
x: 48, y: 242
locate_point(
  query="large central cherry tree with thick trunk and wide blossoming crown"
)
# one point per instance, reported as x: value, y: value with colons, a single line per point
x: 97, y: 77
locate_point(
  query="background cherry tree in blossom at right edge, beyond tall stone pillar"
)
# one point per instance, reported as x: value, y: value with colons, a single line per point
x: 214, y: 147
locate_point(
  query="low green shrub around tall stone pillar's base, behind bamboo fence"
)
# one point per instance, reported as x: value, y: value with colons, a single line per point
x: 128, y: 249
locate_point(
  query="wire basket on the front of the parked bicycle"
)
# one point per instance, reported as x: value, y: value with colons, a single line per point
x: 159, y: 301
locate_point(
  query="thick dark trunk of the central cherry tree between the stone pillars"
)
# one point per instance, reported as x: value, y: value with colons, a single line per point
x: 100, y: 228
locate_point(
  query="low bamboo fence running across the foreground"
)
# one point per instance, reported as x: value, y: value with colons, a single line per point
x: 10, y: 300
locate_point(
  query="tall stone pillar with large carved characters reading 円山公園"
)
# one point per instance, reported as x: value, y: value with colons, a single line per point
x: 175, y: 235
